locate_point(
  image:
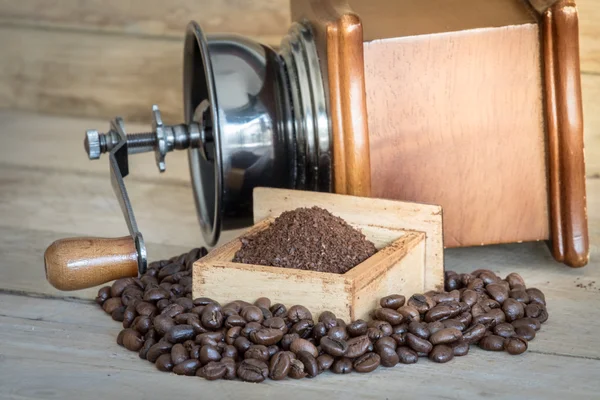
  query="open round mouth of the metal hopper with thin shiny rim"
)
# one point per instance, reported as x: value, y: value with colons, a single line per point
x: 200, y: 106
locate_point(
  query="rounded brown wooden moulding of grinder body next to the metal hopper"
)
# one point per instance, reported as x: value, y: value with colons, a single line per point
x: 339, y: 37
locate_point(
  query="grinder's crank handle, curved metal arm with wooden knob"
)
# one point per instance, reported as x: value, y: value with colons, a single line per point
x: 79, y: 263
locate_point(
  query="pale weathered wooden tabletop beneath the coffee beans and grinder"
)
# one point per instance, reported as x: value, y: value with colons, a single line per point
x: 62, y: 345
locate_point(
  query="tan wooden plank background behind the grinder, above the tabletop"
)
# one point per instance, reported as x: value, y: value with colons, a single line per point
x: 103, y: 58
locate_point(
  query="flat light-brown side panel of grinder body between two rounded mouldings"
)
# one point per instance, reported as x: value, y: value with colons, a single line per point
x: 475, y: 144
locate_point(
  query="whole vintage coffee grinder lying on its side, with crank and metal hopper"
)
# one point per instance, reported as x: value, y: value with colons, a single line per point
x: 472, y: 105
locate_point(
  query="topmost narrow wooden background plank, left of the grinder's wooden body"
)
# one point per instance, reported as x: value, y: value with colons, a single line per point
x: 265, y: 20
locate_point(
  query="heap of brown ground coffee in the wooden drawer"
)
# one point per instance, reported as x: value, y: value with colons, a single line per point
x: 309, y: 239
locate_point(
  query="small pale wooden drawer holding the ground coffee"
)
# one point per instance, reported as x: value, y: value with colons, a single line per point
x: 410, y: 257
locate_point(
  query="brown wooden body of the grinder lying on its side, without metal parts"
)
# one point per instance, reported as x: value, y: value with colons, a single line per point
x: 472, y: 105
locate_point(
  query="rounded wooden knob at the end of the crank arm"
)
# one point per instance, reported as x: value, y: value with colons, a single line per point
x: 79, y: 263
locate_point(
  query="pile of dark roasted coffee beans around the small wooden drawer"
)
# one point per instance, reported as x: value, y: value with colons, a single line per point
x: 260, y: 340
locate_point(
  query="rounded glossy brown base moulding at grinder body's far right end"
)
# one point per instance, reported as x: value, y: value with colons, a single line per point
x: 569, y: 230
